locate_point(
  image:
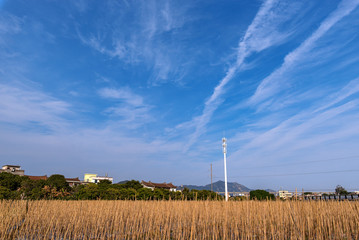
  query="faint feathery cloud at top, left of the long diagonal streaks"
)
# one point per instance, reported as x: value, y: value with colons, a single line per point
x: 141, y: 40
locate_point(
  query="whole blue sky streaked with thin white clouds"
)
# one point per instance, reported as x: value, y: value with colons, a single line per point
x: 146, y: 90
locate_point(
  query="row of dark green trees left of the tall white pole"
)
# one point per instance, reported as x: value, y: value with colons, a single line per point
x: 56, y: 187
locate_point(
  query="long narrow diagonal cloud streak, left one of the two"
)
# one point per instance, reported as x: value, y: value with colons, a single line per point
x: 265, y: 31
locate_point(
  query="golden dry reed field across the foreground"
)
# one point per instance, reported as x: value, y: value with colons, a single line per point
x: 179, y: 220
